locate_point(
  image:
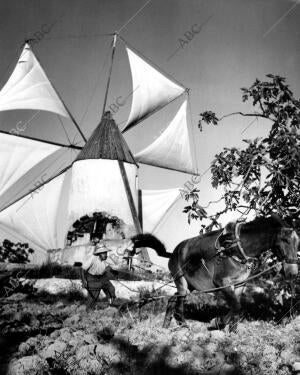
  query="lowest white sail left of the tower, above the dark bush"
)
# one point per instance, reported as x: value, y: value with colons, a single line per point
x: 38, y: 219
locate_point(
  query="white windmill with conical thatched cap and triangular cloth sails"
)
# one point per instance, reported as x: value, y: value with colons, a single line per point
x: 100, y: 177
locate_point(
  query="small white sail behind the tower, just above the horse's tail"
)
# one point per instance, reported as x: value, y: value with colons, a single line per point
x: 156, y: 204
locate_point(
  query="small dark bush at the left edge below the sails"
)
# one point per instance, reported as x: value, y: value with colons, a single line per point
x: 14, y: 253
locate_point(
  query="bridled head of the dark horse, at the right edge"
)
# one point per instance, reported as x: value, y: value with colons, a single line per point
x: 286, y: 247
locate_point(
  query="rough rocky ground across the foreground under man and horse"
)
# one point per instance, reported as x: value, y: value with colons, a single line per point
x: 51, y: 335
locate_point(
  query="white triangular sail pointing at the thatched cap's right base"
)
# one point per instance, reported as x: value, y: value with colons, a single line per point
x: 172, y: 148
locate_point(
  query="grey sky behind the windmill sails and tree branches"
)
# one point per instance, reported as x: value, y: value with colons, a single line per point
x: 238, y: 41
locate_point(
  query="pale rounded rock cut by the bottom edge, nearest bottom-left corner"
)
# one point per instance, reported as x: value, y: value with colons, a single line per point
x: 27, y: 365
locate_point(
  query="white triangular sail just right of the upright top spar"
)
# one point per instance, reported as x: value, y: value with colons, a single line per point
x: 151, y: 90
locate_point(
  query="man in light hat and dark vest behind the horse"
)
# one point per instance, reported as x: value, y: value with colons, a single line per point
x: 96, y: 274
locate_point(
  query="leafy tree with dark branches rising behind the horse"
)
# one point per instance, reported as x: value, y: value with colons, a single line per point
x: 264, y: 176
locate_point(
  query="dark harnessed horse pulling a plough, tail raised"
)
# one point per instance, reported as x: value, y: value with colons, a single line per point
x: 220, y: 259
